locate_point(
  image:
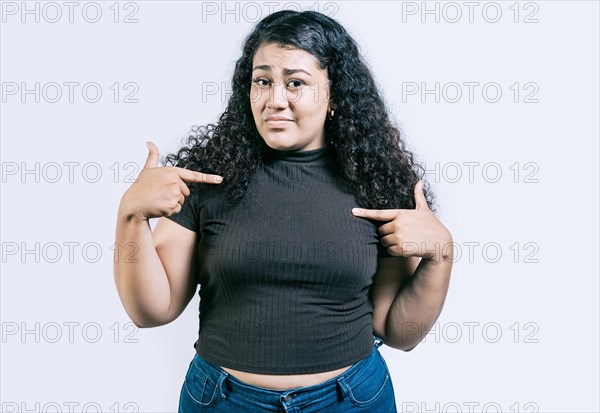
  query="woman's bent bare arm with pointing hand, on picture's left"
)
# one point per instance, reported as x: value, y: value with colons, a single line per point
x: 154, y: 270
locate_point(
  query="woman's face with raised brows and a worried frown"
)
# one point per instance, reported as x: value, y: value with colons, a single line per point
x: 289, y: 98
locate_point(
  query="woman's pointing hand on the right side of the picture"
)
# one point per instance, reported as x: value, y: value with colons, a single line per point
x: 411, y: 232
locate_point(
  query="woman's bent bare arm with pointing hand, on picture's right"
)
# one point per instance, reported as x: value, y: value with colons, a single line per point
x: 410, y: 287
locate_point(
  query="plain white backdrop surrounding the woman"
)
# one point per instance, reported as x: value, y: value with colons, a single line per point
x: 499, y: 100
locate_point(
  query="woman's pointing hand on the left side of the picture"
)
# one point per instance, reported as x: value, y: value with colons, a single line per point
x: 159, y: 192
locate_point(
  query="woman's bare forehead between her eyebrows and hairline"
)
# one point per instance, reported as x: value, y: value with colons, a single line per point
x: 279, y: 57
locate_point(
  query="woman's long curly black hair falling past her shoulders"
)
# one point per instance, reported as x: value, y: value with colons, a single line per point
x: 369, y: 150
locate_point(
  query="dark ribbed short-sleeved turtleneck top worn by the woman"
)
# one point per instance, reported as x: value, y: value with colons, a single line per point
x: 284, y: 274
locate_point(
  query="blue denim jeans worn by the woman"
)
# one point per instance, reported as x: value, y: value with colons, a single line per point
x: 364, y: 387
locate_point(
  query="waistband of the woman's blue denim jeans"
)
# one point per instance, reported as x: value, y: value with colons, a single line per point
x: 296, y: 396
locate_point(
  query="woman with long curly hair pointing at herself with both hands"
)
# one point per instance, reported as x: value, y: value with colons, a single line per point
x: 298, y: 287
